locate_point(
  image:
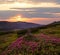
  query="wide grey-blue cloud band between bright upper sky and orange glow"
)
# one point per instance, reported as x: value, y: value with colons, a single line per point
x: 32, y: 12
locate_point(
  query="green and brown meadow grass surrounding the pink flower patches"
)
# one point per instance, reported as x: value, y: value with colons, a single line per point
x: 43, y: 48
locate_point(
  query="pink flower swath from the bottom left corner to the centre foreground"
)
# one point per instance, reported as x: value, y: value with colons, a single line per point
x: 19, y: 43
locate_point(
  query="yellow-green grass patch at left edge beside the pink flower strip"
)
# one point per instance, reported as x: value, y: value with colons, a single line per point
x: 6, y: 40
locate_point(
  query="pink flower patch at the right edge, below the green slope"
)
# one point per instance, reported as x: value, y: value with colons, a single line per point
x: 50, y: 38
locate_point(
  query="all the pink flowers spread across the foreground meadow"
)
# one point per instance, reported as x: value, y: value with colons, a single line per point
x: 25, y: 46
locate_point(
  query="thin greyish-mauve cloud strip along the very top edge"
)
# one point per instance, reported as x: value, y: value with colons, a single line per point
x: 33, y: 1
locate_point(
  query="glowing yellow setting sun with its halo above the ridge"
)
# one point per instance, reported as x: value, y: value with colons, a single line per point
x: 17, y: 18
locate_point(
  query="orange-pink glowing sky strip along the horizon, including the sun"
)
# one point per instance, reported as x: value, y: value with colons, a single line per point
x: 32, y: 20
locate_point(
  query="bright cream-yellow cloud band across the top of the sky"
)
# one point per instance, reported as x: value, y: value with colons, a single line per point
x: 29, y: 3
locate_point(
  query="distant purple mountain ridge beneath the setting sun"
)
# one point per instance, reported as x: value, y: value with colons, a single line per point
x: 5, y: 25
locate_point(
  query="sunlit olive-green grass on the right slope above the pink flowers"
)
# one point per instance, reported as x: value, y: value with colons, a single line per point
x: 54, y: 31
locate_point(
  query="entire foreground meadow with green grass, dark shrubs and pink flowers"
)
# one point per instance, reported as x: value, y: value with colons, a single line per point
x: 34, y: 41
